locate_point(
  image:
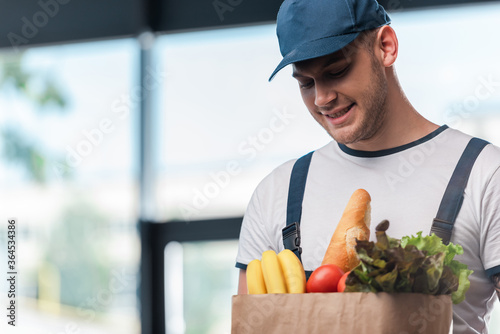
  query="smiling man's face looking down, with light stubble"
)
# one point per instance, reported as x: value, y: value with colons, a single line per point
x: 345, y: 93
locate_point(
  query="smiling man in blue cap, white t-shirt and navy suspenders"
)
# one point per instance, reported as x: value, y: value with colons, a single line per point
x: 342, y: 53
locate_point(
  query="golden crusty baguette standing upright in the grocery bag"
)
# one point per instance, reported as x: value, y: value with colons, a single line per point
x: 354, y: 224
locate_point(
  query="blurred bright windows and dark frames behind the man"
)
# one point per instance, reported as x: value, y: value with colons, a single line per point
x: 97, y: 134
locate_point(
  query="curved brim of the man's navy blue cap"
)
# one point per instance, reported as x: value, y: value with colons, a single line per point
x: 314, y: 49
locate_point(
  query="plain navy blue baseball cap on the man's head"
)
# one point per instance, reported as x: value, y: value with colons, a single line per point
x: 310, y: 29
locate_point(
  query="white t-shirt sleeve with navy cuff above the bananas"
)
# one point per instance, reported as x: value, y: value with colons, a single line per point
x: 254, y: 238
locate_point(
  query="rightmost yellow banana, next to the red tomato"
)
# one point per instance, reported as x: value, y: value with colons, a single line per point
x: 295, y: 276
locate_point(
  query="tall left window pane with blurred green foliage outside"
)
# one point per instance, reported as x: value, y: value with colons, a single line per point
x: 67, y: 170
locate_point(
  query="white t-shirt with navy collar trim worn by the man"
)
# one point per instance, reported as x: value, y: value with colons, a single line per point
x: 406, y: 185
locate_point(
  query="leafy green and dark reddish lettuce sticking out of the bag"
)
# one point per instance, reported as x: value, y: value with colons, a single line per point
x: 421, y: 264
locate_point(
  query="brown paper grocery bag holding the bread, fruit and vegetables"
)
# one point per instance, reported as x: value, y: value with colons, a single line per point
x: 354, y: 312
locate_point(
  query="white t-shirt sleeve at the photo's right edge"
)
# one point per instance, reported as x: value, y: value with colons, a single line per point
x: 490, y: 226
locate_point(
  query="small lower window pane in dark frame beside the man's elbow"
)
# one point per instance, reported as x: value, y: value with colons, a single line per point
x: 200, y: 279
